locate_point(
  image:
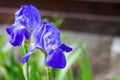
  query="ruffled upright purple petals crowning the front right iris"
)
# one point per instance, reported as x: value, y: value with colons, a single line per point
x: 47, y: 36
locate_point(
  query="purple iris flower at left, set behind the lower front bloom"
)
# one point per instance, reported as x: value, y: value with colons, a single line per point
x: 26, y: 19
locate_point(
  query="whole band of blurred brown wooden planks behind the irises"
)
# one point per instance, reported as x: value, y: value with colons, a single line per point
x: 91, y: 16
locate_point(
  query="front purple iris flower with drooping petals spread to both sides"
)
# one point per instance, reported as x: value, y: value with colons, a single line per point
x: 47, y: 38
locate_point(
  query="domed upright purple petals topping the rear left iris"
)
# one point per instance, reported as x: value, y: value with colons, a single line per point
x: 28, y: 15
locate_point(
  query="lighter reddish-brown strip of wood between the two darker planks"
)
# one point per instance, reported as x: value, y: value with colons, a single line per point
x: 7, y: 15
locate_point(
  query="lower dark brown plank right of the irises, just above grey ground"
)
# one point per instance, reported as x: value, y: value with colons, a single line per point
x: 92, y: 26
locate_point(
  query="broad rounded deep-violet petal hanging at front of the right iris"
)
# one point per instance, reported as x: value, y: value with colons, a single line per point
x: 56, y: 59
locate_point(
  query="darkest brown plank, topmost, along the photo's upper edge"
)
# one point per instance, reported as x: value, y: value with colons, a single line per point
x: 90, y: 7
